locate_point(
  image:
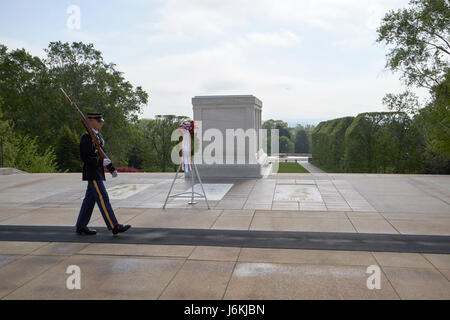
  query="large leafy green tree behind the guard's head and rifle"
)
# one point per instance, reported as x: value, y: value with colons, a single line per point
x: 30, y: 85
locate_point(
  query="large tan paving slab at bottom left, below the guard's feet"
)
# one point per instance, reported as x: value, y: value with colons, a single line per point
x: 102, y: 277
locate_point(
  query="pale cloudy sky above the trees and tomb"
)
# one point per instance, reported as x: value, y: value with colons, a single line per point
x: 307, y: 60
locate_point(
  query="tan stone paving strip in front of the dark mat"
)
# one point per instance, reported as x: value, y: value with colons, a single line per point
x: 37, y: 270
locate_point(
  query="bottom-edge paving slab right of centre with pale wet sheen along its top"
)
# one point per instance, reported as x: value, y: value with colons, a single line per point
x: 302, y: 281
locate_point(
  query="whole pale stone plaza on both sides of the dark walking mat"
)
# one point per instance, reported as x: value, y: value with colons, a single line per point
x: 315, y: 202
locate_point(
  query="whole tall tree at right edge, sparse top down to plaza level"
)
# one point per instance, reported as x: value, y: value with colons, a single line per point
x: 419, y: 49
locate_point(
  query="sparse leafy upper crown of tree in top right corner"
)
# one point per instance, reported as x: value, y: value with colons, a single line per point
x: 419, y: 43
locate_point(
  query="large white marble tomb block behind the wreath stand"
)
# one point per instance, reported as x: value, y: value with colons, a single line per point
x: 229, y: 128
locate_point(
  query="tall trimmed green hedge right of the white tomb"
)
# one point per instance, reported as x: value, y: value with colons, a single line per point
x: 376, y: 142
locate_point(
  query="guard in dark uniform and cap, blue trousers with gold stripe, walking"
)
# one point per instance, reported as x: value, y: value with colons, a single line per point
x: 93, y: 173
